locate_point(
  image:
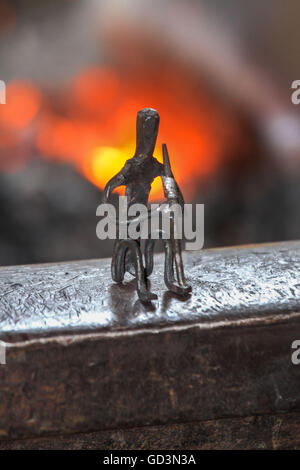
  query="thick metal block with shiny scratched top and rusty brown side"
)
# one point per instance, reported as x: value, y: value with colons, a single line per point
x: 83, y: 355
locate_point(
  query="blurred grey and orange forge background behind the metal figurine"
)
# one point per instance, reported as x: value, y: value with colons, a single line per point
x: 77, y: 72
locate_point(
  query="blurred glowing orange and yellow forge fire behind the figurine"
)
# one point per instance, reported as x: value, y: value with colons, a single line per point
x: 92, y: 126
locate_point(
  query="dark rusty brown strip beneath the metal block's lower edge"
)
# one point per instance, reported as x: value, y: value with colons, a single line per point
x: 272, y: 432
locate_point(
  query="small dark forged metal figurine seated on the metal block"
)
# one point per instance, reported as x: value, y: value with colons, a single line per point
x: 137, y: 175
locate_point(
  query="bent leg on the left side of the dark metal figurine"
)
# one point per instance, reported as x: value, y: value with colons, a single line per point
x: 118, y: 267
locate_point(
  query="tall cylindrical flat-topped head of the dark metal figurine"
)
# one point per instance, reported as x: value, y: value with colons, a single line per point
x: 147, y: 123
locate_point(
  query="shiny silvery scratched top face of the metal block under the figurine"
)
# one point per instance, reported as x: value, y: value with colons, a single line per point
x: 229, y: 285
